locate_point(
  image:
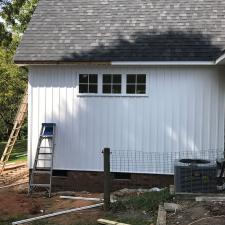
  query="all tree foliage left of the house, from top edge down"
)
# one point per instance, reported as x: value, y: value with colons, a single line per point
x: 14, y: 18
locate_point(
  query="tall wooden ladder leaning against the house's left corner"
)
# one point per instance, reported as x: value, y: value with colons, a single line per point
x: 19, y: 119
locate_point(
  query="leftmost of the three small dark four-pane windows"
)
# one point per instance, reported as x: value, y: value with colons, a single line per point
x: 88, y: 83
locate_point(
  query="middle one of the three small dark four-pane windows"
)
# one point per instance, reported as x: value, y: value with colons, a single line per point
x: 111, y: 84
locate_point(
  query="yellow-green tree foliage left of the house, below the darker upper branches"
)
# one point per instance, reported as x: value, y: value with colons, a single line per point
x: 13, y: 81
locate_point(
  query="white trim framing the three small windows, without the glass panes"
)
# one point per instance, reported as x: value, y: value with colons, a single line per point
x: 123, y: 87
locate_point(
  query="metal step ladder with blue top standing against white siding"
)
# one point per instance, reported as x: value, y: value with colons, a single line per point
x: 43, y: 163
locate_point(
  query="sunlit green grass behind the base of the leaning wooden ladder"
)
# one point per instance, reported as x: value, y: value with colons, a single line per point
x: 19, y: 151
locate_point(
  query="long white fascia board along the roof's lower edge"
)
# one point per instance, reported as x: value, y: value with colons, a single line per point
x: 163, y: 63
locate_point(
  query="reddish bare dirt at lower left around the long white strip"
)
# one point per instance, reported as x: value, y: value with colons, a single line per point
x: 16, y: 205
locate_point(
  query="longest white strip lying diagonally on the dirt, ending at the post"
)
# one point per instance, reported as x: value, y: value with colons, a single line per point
x: 56, y: 214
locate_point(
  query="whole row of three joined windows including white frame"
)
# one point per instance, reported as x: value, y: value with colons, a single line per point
x: 108, y: 84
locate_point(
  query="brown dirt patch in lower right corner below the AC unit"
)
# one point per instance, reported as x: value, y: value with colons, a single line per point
x: 192, y: 211
